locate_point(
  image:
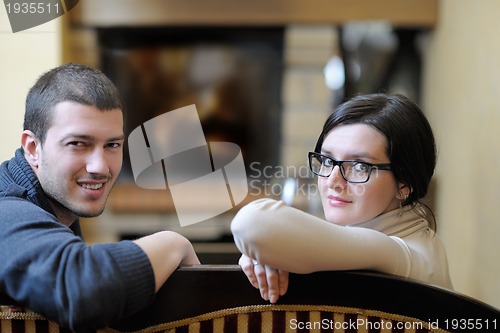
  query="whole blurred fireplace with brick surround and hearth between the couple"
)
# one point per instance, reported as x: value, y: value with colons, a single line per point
x: 260, y: 87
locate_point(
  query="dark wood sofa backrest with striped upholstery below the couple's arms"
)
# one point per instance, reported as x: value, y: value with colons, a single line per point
x: 219, y: 298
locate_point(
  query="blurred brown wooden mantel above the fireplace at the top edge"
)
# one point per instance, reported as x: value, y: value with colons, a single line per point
x: 113, y: 13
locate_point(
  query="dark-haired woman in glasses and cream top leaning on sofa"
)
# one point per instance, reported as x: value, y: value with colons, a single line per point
x: 374, y: 160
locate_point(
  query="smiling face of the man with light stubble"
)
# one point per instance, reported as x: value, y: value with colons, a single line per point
x: 80, y: 159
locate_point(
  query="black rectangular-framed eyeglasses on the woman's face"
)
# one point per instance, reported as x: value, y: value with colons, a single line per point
x: 351, y: 171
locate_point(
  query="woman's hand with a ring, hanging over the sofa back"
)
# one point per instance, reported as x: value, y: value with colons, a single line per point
x: 271, y: 282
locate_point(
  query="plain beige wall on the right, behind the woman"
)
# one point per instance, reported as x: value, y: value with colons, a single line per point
x: 461, y: 85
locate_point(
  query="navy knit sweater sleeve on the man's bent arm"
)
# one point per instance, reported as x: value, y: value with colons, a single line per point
x: 47, y: 268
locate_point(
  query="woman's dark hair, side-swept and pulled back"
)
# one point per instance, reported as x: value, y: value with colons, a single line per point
x: 410, y: 142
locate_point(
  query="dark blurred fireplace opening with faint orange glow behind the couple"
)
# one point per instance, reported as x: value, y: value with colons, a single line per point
x: 232, y: 75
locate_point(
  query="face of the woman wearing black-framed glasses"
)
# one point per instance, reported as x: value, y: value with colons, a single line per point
x: 348, y: 203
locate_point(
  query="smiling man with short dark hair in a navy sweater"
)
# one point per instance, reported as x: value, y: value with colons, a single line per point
x: 70, y: 157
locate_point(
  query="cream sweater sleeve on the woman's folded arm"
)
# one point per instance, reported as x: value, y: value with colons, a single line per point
x: 292, y: 240
